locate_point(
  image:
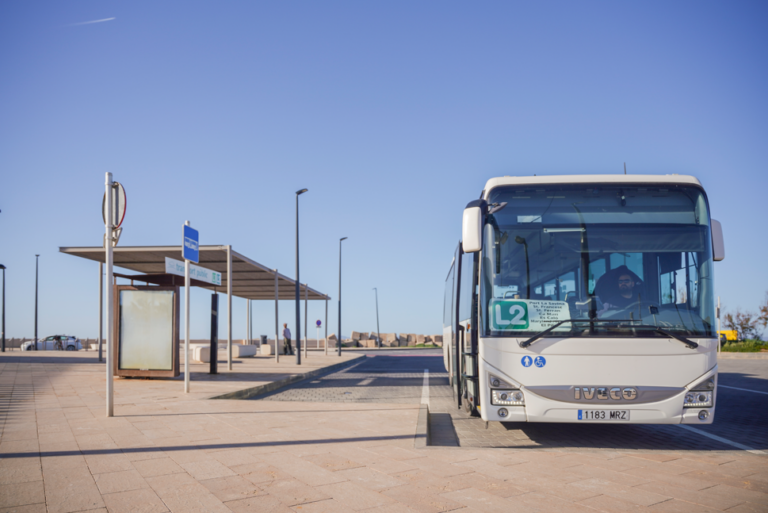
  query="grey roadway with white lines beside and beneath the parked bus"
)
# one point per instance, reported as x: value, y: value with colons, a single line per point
x: 398, y: 377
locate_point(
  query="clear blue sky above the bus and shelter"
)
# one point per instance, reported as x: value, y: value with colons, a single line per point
x: 392, y: 114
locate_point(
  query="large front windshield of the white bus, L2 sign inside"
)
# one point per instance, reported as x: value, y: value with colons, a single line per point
x: 620, y: 256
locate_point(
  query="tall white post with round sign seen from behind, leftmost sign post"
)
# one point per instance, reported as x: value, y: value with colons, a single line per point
x: 113, y: 212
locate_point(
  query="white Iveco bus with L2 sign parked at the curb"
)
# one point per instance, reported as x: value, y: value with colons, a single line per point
x: 585, y: 299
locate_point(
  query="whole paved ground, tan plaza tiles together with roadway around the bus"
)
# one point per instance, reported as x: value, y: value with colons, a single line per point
x: 346, y: 441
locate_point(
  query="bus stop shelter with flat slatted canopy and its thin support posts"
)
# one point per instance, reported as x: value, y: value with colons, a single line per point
x: 240, y: 276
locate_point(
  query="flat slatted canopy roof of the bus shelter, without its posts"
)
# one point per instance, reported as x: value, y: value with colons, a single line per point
x: 250, y: 280
